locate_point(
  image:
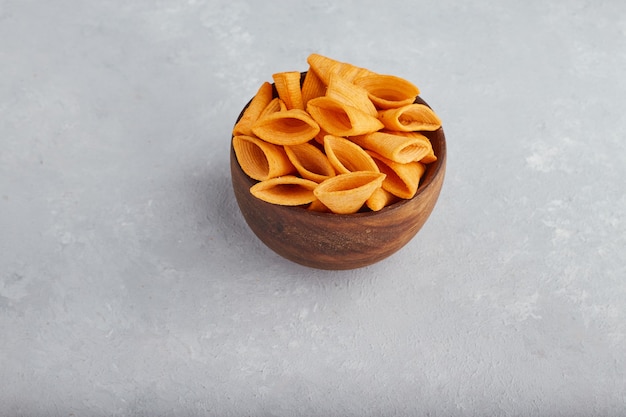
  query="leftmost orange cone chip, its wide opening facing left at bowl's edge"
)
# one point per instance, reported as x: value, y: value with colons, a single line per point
x: 261, y: 160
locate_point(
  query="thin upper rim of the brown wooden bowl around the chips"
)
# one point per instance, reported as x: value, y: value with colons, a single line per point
x: 433, y: 173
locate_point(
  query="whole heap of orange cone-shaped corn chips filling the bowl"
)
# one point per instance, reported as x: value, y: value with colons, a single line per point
x: 342, y: 139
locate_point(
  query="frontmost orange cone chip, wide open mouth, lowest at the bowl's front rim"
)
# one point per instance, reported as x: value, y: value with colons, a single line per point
x: 346, y: 193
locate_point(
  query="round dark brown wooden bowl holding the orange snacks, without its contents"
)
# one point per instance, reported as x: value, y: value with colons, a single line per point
x: 340, y: 241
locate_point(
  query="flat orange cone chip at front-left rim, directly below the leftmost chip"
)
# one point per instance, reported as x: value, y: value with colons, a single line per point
x: 287, y: 190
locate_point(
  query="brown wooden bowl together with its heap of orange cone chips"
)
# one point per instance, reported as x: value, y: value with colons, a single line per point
x: 342, y: 147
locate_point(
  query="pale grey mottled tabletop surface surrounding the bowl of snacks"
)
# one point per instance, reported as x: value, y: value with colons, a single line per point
x: 131, y: 286
